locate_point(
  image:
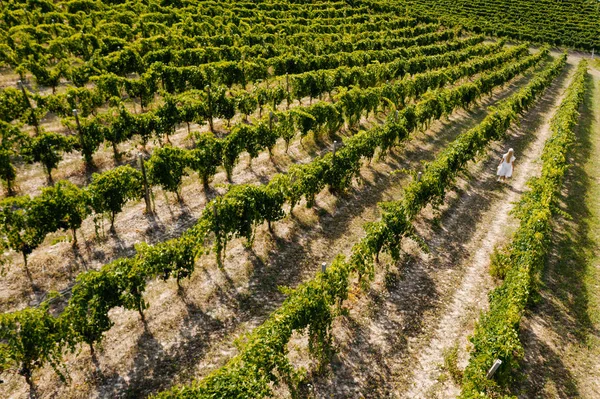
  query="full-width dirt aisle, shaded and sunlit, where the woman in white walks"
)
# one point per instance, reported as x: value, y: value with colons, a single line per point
x: 392, y: 331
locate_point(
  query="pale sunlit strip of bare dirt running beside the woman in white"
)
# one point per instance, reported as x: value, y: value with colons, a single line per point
x: 471, y: 296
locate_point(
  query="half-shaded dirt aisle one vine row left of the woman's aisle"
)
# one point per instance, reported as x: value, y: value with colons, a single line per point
x: 191, y: 333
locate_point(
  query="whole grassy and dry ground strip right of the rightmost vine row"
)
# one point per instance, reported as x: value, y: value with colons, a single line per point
x: 561, y: 334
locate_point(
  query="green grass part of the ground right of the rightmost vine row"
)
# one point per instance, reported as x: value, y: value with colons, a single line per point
x: 579, y: 250
